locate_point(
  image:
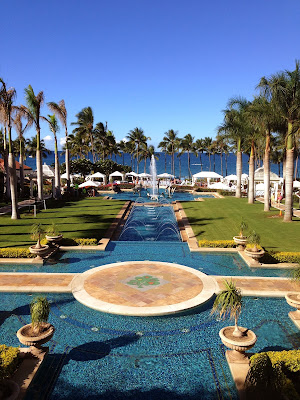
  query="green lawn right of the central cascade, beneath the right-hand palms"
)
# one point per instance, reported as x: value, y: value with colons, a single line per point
x: 216, y: 219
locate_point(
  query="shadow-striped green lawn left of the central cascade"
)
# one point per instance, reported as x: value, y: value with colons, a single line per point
x: 87, y: 218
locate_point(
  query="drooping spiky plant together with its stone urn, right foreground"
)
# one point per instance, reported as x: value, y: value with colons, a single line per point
x: 228, y: 303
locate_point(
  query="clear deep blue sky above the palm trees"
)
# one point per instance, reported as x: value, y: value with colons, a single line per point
x: 157, y: 65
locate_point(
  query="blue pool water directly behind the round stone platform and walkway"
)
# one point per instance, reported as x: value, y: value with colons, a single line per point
x: 229, y: 264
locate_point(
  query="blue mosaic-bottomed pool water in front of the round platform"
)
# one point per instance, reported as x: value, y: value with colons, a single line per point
x: 101, y: 356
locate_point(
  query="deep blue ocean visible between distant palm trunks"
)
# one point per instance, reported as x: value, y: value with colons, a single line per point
x: 160, y: 163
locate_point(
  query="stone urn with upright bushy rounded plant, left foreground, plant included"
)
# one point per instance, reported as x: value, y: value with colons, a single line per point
x: 39, y: 331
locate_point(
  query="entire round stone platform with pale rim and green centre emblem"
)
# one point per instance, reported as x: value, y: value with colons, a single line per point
x: 143, y: 288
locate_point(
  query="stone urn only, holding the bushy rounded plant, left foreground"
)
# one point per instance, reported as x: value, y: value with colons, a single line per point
x: 27, y: 336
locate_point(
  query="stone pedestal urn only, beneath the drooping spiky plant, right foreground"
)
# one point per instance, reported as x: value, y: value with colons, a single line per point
x: 238, y: 345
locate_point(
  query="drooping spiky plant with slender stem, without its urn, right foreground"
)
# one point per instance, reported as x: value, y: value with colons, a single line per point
x: 228, y: 303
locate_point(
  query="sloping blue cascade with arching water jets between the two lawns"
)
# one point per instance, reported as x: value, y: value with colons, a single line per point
x: 151, y: 223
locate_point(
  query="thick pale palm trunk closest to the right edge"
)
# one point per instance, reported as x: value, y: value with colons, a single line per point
x: 289, y: 173
